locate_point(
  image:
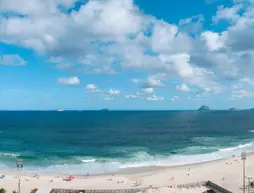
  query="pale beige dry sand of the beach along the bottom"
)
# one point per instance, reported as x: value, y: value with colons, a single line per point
x: 226, y: 173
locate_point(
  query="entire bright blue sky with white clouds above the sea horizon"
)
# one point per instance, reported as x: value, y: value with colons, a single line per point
x: 126, y: 54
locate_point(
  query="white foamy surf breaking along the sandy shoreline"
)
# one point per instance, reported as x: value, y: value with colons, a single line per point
x: 140, y: 159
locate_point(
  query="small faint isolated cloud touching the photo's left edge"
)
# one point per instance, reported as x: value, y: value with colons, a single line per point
x: 12, y: 60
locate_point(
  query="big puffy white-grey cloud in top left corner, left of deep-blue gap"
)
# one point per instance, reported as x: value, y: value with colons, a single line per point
x: 49, y: 30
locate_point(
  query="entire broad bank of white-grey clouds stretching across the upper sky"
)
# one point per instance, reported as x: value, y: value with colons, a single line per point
x: 81, y: 38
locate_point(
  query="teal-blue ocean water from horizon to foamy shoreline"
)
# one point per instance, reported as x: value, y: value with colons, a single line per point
x: 101, y: 142
